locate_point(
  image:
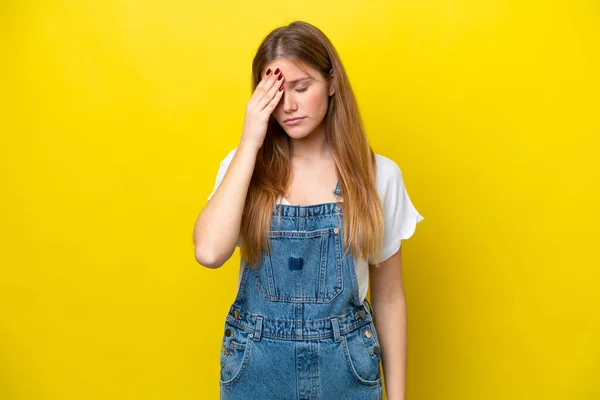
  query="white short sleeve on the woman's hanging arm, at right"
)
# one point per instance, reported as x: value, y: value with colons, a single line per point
x: 400, y: 215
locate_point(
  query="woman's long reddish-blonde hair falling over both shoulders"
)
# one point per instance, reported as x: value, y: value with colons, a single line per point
x: 354, y: 158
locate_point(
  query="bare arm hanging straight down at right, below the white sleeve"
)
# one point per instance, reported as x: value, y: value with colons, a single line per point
x: 389, y: 317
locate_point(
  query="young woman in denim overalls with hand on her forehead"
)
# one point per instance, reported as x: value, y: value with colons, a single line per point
x: 315, y: 213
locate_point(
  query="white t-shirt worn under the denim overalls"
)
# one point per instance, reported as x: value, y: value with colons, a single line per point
x: 400, y: 216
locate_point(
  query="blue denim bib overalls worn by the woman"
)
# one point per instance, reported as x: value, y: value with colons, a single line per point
x: 296, y: 329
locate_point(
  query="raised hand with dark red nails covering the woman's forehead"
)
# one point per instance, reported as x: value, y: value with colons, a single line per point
x: 265, y: 98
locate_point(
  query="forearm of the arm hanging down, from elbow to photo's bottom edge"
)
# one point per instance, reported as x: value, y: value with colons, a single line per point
x: 391, y: 324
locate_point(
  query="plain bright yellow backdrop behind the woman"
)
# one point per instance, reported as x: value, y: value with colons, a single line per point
x: 115, y: 115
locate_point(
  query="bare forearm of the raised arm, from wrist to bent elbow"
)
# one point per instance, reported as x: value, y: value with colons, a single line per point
x: 217, y: 228
